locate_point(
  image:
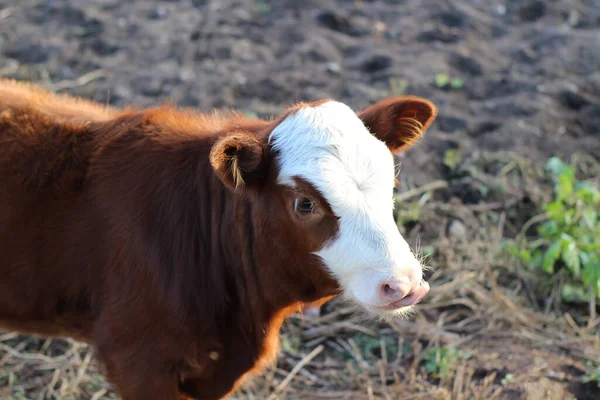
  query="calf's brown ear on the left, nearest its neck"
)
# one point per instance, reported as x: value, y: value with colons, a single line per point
x: 239, y: 159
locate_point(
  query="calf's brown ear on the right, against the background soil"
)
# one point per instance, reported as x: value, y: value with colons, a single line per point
x: 399, y: 121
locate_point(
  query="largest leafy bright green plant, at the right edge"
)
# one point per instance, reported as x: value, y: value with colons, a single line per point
x: 569, y: 237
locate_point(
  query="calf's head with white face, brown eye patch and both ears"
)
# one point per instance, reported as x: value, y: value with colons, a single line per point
x: 324, y: 176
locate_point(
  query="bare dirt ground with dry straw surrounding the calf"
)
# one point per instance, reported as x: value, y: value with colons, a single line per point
x: 515, y: 83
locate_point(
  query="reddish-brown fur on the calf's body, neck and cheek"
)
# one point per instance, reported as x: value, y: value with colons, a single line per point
x: 157, y: 235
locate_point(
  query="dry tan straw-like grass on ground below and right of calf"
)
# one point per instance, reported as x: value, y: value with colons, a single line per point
x: 514, y: 346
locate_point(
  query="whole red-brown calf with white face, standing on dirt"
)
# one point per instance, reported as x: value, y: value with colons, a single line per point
x: 177, y: 242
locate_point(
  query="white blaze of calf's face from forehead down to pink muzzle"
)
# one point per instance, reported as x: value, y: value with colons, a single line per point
x: 329, y: 146
